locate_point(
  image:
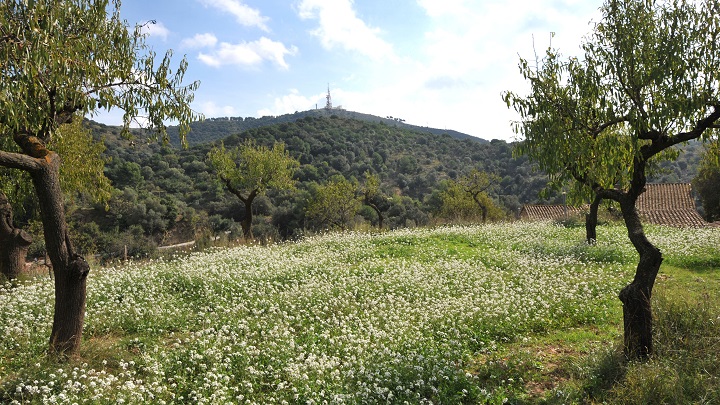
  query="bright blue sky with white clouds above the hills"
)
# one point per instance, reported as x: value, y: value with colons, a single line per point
x: 436, y: 63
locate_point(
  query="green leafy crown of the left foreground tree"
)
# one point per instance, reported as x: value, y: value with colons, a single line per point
x: 59, y: 57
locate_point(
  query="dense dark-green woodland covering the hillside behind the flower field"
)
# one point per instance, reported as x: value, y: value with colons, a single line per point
x: 166, y: 194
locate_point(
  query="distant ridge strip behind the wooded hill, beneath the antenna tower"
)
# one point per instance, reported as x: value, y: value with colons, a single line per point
x: 214, y: 129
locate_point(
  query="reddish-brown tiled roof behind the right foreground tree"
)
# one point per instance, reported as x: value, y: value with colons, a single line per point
x: 662, y: 204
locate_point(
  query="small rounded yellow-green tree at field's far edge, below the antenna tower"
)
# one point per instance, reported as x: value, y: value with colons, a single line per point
x: 334, y: 204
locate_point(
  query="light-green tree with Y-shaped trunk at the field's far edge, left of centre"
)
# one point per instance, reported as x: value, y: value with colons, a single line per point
x: 250, y: 170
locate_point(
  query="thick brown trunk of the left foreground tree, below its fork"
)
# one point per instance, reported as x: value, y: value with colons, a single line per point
x: 70, y: 269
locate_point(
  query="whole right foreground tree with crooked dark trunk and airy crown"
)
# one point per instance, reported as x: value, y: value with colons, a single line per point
x: 649, y: 80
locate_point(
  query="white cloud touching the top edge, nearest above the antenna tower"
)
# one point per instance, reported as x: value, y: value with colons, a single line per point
x: 340, y: 26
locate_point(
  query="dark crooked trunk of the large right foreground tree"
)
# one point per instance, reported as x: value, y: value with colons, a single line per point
x: 637, y: 313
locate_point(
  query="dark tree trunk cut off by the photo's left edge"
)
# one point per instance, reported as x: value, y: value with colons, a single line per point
x: 14, y: 242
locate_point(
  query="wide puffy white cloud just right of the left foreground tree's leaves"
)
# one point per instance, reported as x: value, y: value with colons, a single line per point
x: 249, y: 54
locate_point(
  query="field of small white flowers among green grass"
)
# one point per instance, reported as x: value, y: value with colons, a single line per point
x: 342, y: 318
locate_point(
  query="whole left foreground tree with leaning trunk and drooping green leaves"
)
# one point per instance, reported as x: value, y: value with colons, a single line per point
x: 62, y: 58
